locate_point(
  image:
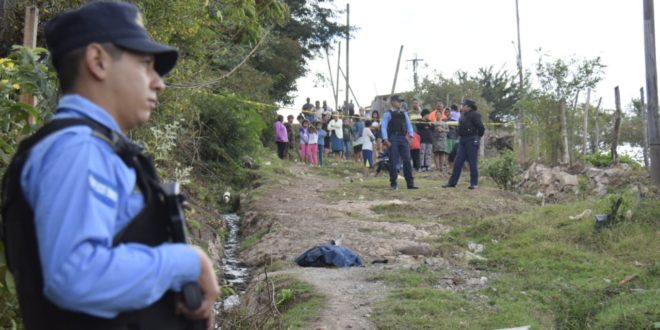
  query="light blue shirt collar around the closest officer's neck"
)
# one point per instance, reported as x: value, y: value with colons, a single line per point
x: 74, y: 105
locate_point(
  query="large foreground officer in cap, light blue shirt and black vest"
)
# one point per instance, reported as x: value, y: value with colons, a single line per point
x: 82, y: 209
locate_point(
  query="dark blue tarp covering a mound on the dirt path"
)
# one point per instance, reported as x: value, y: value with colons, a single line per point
x: 328, y: 256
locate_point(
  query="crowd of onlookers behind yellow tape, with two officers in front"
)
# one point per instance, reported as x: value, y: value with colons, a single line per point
x: 432, y: 141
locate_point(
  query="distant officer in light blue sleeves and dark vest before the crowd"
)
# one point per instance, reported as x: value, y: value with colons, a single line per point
x: 397, y: 134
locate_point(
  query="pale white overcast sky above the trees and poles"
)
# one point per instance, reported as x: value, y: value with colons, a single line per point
x: 469, y: 34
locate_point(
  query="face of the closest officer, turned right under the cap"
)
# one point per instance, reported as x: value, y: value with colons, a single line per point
x: 135, y: 84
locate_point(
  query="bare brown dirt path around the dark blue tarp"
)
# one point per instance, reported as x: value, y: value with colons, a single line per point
x: 298, y: 215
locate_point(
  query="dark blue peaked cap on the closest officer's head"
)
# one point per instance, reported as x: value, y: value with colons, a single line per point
x: 117, y: 22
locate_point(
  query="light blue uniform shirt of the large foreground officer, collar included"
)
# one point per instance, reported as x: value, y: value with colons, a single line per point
x: 82, y: 194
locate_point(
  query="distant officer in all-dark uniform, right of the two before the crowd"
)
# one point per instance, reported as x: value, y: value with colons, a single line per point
x: 470, y: 131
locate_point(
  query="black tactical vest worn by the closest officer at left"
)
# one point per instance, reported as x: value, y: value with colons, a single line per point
x: 149, y: 227
